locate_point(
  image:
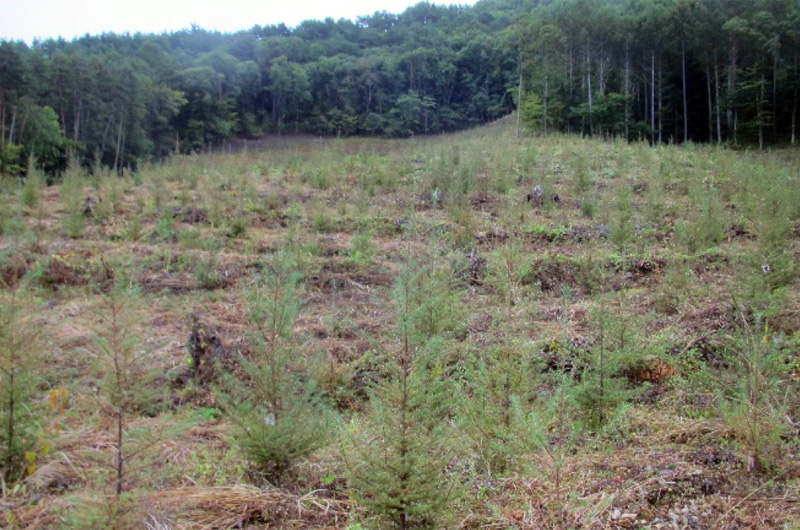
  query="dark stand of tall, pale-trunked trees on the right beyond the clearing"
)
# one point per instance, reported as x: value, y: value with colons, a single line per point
x: 664, y: 70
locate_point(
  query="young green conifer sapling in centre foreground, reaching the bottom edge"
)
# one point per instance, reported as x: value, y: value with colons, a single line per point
x: 397, y: 456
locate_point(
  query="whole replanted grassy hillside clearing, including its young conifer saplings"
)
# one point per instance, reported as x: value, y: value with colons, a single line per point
x: 622, y: 356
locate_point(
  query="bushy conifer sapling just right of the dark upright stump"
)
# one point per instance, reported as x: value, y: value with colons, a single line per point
x: 277, y: 416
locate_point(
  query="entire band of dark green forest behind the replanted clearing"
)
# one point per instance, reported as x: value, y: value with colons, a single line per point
x: 662, y: 70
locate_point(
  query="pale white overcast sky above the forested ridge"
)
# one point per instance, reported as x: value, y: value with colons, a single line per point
x: 27, y: 19
